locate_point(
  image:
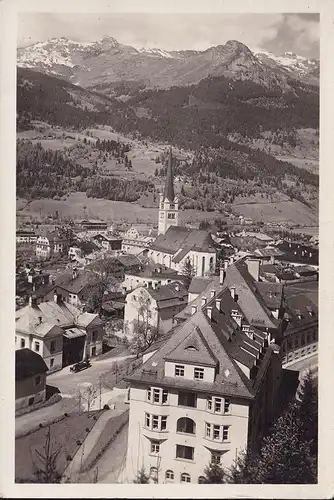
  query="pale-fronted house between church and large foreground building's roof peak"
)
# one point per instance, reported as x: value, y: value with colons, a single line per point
x: 154, y: 306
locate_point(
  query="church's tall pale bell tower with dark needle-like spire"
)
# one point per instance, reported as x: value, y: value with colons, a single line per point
x: 168, y: 205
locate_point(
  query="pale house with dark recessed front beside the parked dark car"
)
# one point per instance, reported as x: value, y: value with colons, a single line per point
x: 59, y: 332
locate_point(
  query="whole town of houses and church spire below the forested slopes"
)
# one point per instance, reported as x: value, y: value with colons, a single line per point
x: 158, y: 352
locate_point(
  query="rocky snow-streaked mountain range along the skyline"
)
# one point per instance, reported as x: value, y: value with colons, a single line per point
x: 101, y: 65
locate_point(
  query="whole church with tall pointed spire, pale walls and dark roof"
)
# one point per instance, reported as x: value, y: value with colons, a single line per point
x: 175, y: 244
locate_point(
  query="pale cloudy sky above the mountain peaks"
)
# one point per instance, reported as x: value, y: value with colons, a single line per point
x: 276, y: 33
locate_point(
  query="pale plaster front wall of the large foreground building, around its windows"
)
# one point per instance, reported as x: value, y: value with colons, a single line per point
x: 138, y: 454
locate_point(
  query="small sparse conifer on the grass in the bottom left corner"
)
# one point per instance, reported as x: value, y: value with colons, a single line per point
x: 47, y: 469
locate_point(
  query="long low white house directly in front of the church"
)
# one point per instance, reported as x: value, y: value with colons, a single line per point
x: 150, y: 275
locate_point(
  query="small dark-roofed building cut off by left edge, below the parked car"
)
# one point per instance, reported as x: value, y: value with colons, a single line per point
x: 30, y: 378
